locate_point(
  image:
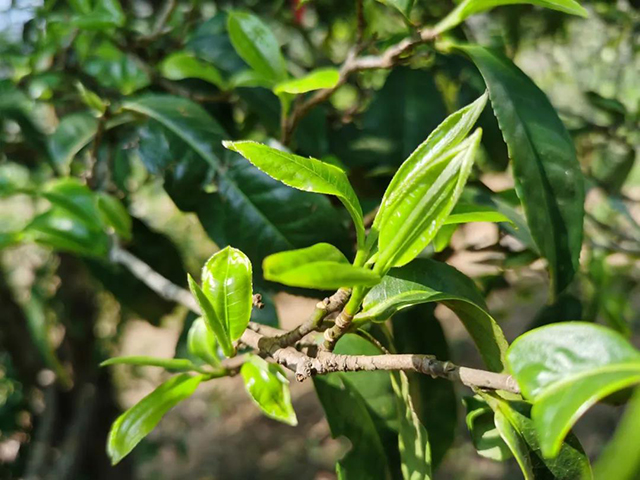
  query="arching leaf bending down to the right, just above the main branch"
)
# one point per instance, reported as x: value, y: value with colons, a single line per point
x: 424, y: 281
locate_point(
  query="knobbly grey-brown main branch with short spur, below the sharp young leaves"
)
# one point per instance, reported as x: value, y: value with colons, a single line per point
x: 278, y: 344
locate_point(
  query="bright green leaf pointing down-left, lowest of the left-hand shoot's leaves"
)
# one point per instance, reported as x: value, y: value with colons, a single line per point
x: 137, y: 422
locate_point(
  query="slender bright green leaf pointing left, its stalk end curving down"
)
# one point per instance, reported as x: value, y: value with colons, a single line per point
x: 306, y: 174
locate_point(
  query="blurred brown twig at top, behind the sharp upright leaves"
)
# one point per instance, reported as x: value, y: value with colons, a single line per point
x: 355, y: 63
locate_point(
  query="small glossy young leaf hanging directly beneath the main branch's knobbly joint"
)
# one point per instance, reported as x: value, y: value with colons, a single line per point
x: 269, y: 388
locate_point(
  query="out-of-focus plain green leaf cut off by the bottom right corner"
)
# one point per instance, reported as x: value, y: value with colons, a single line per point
x: 620, y: 458
